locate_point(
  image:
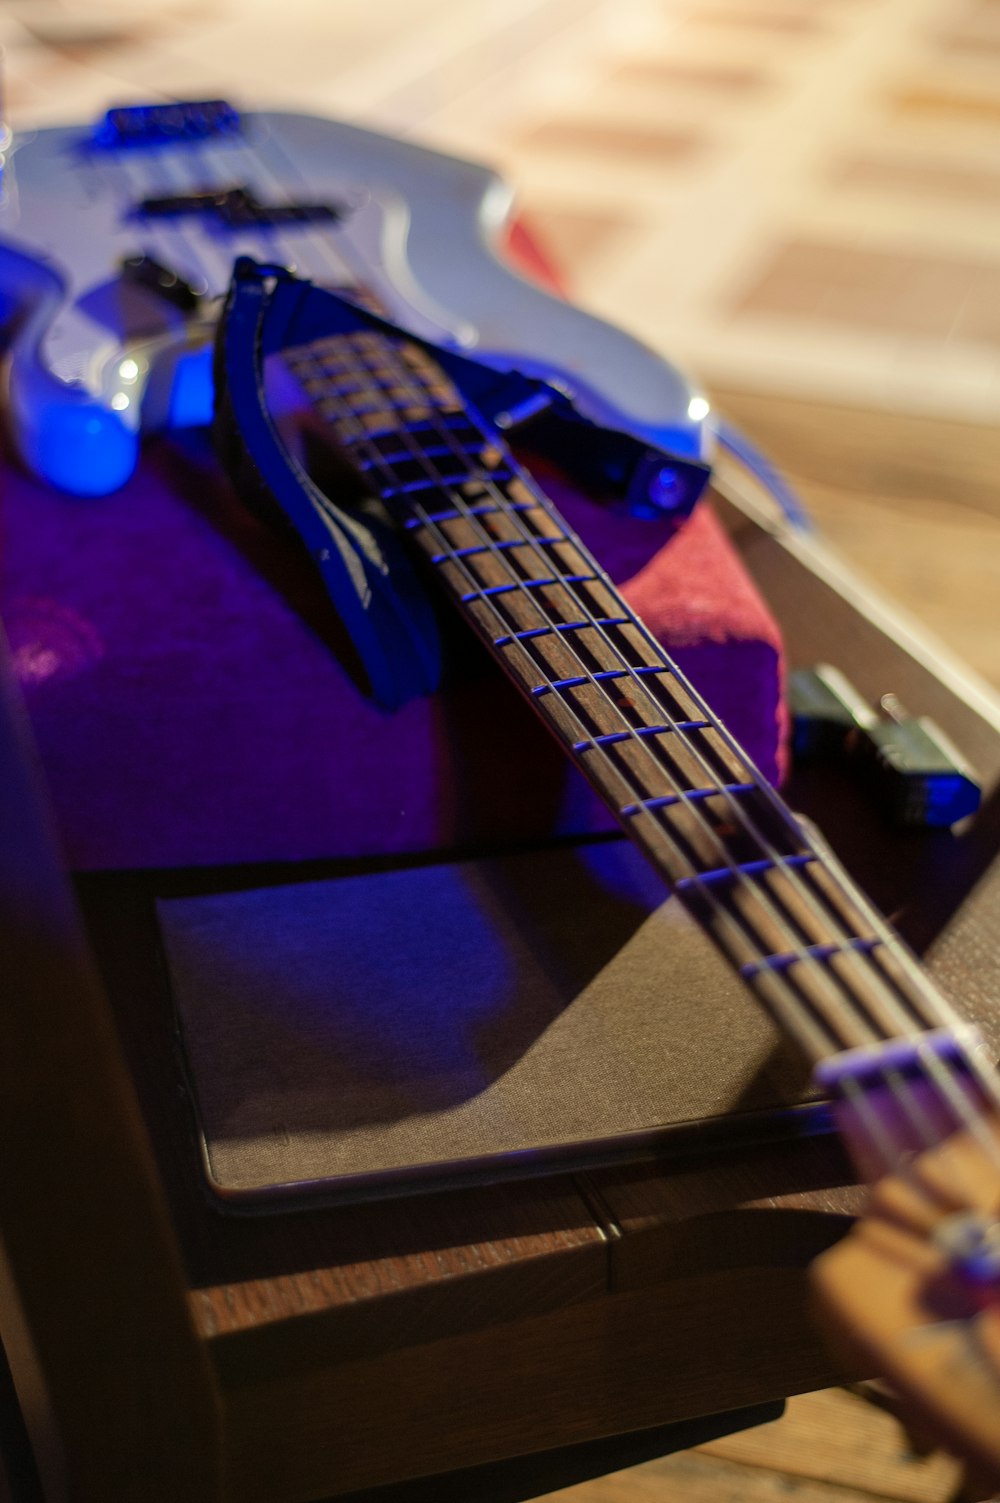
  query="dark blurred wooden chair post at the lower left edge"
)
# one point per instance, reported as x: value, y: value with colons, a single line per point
x: 94, y: 1269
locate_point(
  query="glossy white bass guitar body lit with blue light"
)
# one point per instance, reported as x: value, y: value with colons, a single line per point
x: 115, y: 258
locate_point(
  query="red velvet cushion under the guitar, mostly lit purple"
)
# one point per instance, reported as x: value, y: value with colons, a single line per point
x: 189, y: 713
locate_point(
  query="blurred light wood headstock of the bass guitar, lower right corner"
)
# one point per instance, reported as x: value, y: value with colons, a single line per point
x: 915, y: 1290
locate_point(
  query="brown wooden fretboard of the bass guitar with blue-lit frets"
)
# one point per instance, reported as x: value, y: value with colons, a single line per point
x: 763, y: 886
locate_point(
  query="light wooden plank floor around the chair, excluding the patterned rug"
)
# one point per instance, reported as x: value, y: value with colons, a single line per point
x: 915, y: 506
